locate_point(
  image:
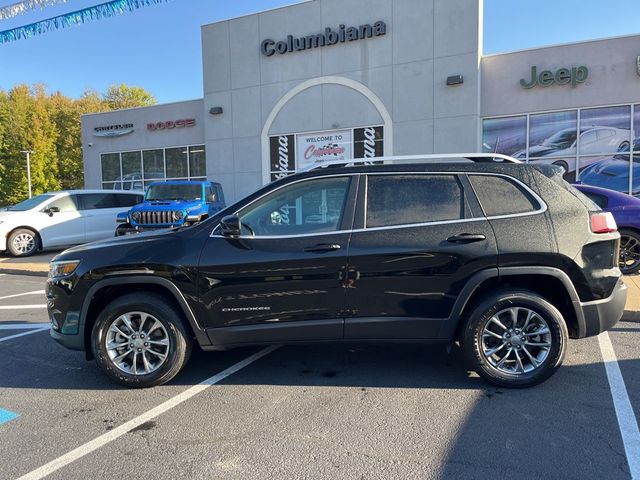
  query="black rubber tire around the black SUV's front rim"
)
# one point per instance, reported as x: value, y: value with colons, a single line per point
x: 180, y: 341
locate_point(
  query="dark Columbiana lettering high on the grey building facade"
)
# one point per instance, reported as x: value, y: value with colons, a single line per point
x: 344, y: 34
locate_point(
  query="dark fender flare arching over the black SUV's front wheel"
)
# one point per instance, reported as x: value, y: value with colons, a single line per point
x: 198, y: 331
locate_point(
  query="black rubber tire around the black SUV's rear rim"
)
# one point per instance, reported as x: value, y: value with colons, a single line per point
x: 495, y: 304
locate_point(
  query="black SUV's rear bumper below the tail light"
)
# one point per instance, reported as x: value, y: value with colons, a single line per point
x: 601, y: 315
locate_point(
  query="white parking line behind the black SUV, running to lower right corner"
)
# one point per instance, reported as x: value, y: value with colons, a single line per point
x: 624, y: 411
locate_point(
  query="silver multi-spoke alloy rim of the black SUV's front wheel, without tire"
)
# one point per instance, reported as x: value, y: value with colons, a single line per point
x: 137, y: 343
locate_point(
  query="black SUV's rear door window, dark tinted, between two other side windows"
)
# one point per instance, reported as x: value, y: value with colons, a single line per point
x: 411, y: 199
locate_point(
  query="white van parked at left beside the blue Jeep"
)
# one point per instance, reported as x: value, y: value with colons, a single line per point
x: 60, y: 219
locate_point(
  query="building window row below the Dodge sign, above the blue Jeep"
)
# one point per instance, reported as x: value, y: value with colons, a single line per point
x: 135, y: 170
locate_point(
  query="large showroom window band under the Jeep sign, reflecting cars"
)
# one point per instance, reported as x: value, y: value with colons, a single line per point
x: 595, y: 146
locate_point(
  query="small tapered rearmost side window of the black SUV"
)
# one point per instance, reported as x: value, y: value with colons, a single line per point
x: 502, y: 196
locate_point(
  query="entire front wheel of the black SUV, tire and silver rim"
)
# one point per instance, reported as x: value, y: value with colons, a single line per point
x: 140, y: 340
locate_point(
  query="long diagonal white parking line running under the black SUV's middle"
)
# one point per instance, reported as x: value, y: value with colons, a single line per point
x: 117, y: 432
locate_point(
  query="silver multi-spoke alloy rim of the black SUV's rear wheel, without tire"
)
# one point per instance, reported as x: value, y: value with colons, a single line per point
x: 516, y: 341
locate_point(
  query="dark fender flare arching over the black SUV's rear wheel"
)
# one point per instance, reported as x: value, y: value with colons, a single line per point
x: 448, y: 330
